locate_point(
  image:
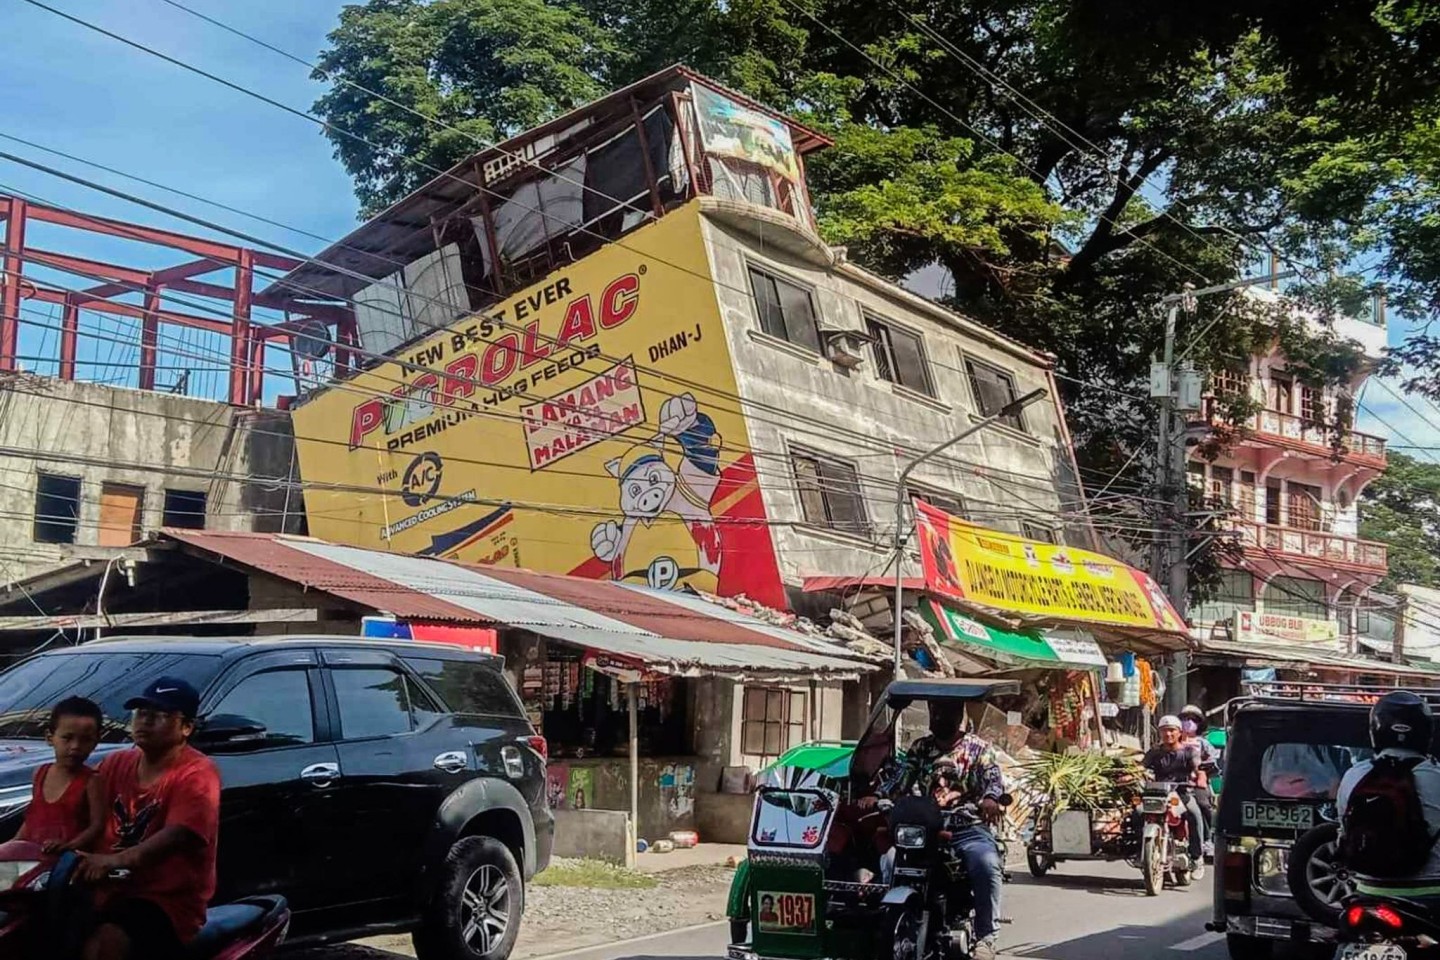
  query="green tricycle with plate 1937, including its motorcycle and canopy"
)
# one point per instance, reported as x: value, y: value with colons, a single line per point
x: 832, y: 823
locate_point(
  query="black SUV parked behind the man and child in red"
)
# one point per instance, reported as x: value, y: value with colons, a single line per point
x: 379, y: 787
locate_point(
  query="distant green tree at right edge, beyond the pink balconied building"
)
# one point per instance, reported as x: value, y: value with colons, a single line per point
x: 1402, y: 509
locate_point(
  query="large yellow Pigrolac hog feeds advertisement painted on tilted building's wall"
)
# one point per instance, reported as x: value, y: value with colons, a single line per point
x: 588, y: 425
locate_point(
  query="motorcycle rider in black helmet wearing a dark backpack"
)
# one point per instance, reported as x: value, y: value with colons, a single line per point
x: 1400, y: 729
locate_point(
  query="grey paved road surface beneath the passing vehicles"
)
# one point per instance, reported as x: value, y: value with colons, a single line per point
x: 1084, y: 913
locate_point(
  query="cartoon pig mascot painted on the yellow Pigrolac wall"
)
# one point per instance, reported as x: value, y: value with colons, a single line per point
x: 669, y: 535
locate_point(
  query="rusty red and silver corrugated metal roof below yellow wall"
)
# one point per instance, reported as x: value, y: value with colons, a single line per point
x: 670, y: 633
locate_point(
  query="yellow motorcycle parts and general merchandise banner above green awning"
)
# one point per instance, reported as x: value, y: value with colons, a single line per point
x: 994, y: 569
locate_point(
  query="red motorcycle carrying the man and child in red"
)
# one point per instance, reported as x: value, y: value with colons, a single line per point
x: 35, y: 895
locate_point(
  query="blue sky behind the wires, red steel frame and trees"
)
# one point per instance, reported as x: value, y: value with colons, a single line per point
x: 90, y: 96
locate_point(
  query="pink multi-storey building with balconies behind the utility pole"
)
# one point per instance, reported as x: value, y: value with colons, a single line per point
x: 1288, y: 486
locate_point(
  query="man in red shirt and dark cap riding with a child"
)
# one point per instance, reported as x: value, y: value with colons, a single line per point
x: 162, y: 802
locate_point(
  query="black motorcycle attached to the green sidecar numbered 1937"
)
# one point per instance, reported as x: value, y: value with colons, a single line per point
x: 930, y: 902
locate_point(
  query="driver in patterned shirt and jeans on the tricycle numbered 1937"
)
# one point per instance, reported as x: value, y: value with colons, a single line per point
x: 960, y: 769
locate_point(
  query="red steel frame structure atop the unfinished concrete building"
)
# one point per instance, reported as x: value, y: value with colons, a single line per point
x: 199, y: 257
